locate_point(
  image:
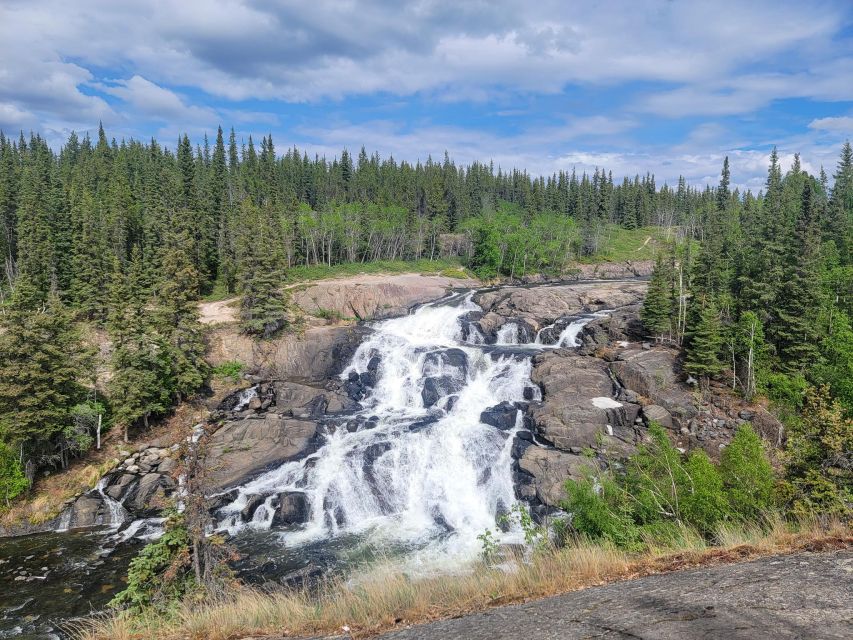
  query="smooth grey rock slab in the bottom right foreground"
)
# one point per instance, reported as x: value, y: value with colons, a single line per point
x: 803, y: 595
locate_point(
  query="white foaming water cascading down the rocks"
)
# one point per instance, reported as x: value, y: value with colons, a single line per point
x: 421, y: 470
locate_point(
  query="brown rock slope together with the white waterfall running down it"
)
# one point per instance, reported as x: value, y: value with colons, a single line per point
x: 517, y: 388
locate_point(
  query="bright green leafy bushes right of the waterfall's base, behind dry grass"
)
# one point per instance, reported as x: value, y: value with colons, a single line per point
x: 662, y: 494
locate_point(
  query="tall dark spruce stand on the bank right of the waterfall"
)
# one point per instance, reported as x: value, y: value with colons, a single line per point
x: 765, y: 303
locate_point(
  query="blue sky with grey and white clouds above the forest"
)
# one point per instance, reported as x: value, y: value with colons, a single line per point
x: 669, y: 87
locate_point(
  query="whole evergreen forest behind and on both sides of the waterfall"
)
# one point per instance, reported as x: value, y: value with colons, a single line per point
x: 125, y: 238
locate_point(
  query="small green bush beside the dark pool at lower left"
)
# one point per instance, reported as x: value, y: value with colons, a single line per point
x: 159, y: 575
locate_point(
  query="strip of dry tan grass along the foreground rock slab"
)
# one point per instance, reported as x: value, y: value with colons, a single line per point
x: 384, y: 598
